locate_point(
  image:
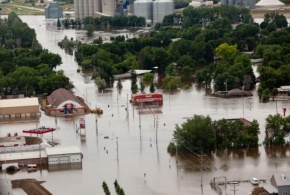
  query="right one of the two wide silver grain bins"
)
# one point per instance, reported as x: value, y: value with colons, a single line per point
x: 162, y: 8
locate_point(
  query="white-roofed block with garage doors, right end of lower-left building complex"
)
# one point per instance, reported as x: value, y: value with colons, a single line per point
x: 63, y: 155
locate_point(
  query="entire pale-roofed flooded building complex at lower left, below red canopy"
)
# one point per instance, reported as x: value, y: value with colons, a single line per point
x: 41, y: 153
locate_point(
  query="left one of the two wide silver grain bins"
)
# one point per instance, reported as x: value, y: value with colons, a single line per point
x: 143, y: 8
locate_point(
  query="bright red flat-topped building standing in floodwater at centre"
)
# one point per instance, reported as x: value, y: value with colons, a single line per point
x: 147, y: 99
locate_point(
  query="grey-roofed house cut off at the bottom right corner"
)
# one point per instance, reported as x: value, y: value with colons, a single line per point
x: 281, y: 181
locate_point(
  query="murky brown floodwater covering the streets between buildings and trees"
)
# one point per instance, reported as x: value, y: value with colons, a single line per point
x: 137, y: 157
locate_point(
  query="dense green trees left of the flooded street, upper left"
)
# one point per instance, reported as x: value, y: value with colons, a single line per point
x: 26, y: 67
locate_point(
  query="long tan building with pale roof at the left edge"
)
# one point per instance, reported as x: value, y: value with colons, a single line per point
x: 19, y: 108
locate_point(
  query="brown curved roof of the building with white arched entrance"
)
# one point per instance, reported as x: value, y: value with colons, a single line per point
x: 61, y: 95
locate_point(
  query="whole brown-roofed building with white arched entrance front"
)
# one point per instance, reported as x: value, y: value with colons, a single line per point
x: 62, y: 102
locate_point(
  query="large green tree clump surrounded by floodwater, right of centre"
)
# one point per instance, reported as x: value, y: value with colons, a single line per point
x: 201, y: 134
